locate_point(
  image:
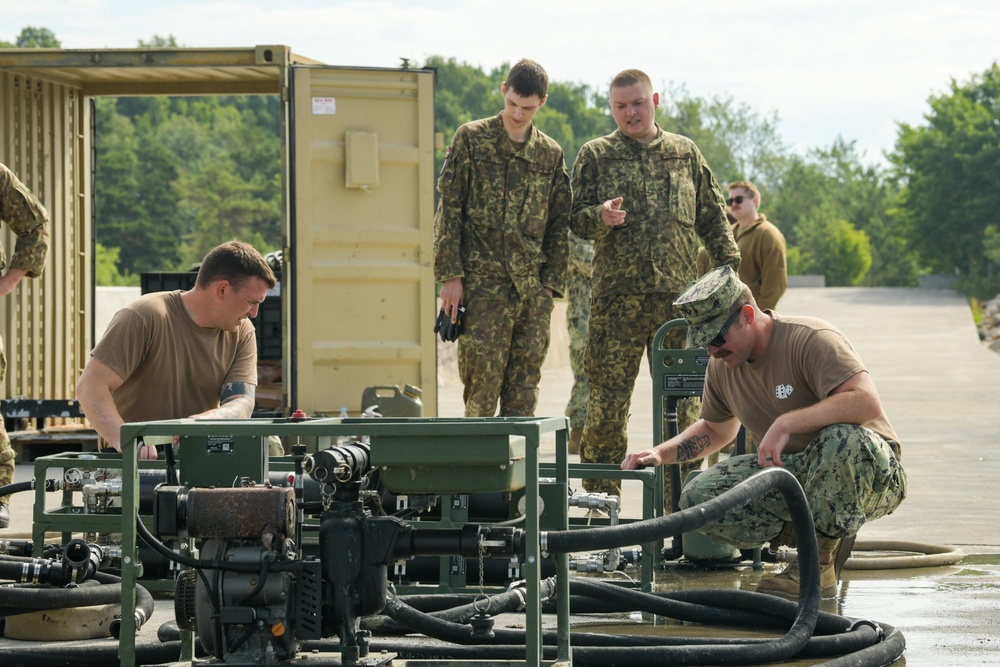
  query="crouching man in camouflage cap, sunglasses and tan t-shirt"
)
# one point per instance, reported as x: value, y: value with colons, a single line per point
x: 803, y: 392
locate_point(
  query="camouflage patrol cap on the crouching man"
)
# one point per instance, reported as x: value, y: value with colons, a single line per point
x: 706, y: 302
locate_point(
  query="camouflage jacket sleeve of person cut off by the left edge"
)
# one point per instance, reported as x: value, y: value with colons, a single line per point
x: 28, y: 219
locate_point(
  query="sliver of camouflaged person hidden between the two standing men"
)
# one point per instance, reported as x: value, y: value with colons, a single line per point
x: 581, y: 258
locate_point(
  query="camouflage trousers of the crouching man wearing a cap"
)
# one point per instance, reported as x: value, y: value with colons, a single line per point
x: 849, y: 473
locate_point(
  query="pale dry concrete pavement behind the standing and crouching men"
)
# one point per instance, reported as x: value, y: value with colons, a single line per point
x: 939, y: 385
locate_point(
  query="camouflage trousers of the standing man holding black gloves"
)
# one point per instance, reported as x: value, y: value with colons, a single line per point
x: 501, y: 351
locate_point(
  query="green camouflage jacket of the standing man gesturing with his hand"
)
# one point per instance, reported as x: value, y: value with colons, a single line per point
x: 671, y: 199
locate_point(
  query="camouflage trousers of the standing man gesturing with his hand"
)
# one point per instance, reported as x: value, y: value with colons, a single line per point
x: 622, y: 327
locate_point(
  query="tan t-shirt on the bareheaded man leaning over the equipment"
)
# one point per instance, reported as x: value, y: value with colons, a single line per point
x: 172, y: 367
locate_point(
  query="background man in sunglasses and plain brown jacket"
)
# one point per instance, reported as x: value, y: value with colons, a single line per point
x: 762, y: 247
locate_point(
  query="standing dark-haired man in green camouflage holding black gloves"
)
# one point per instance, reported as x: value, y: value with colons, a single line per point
x: 500, y: 246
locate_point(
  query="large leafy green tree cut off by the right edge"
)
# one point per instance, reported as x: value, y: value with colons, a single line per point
x: 950, y: 168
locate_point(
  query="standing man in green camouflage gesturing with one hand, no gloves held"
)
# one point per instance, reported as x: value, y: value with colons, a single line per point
x: 645, y: 197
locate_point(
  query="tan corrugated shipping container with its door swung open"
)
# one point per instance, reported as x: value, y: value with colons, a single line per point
x: 357, y: 297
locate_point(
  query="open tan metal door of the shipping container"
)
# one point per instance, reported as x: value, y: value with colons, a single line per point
x: 362, y: 235
